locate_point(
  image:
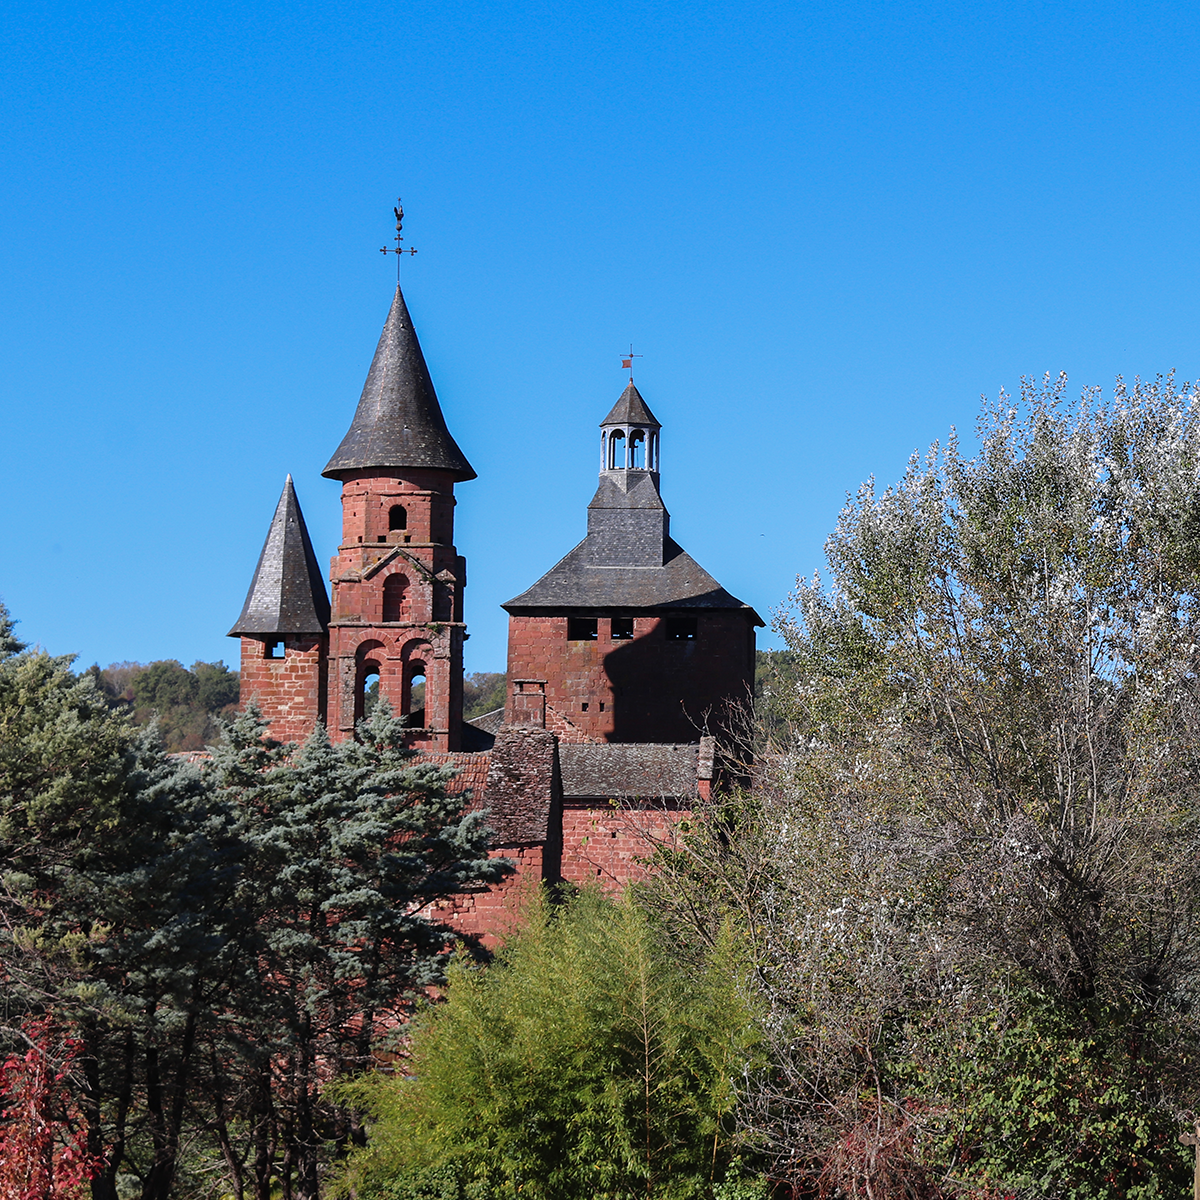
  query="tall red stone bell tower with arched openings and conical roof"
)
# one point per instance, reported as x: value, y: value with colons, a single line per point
x: 398, y: 579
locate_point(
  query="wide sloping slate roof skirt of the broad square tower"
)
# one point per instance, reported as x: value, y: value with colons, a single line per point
x: 681, y: 583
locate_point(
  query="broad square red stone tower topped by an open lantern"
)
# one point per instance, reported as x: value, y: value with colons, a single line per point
x: 634, y: 641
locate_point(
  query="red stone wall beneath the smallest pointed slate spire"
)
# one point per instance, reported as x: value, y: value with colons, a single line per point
x: 291, y: 692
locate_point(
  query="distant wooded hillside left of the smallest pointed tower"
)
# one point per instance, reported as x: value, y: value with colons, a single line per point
x: 187, y: 704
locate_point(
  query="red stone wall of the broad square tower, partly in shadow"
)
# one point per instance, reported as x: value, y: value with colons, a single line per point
x: 646, y: 689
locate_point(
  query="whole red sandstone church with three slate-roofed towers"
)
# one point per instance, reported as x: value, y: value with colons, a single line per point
x: 627, y: 661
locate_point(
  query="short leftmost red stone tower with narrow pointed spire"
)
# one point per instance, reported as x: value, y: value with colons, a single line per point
x: 284, y: 628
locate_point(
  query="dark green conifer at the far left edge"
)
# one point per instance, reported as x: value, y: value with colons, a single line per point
x: 109, y: 907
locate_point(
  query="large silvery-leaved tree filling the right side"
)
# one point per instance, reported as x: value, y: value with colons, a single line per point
x: 977, y: 837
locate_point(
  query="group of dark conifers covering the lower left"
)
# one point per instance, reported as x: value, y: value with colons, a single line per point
x: 217, y: 941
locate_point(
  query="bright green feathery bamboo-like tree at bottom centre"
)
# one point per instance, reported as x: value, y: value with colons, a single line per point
x: 587, y: 1060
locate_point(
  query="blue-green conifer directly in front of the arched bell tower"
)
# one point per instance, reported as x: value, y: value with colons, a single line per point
x: 349, y: 849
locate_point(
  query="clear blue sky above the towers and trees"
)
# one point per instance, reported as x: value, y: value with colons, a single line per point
x: 829, y: 227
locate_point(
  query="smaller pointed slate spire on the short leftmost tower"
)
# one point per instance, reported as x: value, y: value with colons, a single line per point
x: 287, y: 595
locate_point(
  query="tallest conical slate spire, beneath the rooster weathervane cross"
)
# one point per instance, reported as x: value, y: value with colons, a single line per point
x: 399, y: 422
